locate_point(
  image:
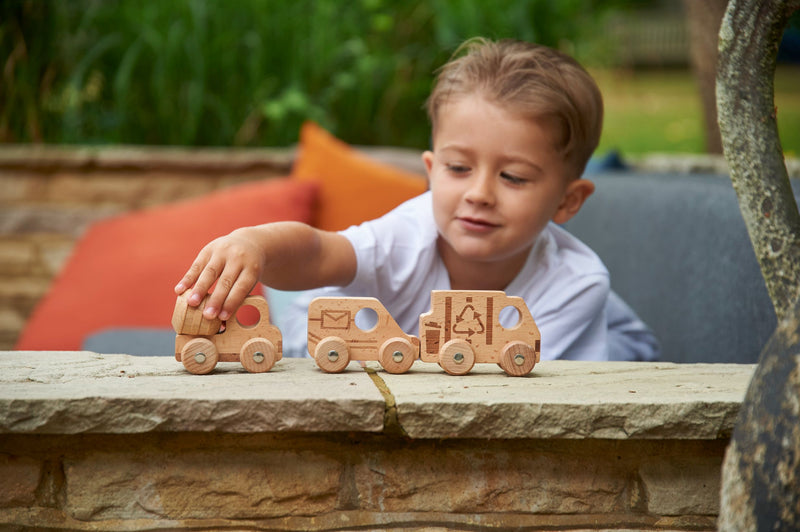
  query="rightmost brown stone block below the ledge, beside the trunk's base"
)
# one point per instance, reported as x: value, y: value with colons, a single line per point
x: 683, y: 485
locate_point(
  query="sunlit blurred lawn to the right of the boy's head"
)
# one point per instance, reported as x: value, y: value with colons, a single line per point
x: 660, y: 111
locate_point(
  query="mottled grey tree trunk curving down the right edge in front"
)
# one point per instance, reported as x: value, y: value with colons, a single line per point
x: 761, y: 471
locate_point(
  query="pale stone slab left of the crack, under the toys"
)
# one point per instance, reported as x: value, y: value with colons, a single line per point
x: 84, y: 392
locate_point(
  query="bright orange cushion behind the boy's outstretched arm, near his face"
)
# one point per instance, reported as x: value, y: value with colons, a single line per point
x: 353, y: 188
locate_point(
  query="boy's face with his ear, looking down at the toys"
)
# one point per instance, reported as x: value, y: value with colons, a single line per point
x: 496, y: 181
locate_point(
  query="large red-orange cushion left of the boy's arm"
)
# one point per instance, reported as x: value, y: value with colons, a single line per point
x: 122, y: 272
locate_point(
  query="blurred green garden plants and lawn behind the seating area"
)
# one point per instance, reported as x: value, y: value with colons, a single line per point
x: 249, y: 72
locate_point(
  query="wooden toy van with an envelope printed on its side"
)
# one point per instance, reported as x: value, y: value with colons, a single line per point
x: 334, y: 338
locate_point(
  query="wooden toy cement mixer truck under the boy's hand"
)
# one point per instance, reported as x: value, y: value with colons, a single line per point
x: 201, y: 343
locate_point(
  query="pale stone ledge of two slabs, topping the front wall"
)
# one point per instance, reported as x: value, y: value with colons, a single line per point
x: 83, y: 392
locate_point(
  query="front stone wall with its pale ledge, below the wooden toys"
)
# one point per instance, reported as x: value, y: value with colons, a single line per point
x: 112, y: 442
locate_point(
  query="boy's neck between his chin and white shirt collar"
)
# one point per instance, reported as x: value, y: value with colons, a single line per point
x: 478, y: 275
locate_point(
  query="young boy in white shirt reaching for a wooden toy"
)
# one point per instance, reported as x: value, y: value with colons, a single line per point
x: 514, y: 125
